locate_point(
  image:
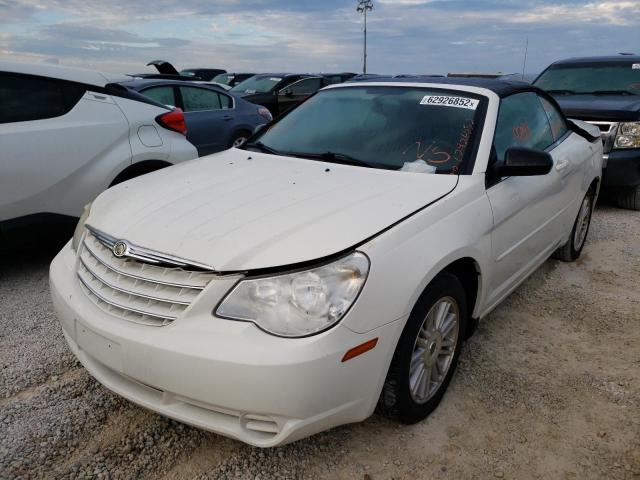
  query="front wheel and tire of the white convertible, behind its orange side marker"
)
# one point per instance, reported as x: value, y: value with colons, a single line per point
x: 427, y: 353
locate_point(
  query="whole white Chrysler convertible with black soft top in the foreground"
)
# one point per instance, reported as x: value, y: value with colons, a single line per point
x: 334, y: 264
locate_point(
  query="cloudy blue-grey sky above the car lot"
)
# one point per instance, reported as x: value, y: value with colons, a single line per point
x: 404, y: 36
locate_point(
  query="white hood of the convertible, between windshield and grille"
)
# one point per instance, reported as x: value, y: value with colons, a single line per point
x: 240, y: 210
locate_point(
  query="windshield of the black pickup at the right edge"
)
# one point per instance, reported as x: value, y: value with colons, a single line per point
x: 622, y: 78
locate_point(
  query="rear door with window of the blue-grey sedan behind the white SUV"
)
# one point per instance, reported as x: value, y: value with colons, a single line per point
x: 209, y: 123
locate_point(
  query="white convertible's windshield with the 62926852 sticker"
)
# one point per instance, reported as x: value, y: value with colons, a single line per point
x: 399, y: 128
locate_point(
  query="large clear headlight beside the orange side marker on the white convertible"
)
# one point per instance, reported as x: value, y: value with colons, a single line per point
x: 300, y: 303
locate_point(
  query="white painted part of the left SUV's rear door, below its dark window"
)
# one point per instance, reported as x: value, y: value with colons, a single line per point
x: 60, y: 164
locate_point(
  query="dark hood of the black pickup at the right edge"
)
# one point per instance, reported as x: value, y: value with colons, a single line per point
x: 613, y: 108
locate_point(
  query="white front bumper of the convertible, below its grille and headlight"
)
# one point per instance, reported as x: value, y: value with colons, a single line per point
x: 225, y: 376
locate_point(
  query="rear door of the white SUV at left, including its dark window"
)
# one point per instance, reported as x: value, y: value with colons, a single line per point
x: 51, y: 130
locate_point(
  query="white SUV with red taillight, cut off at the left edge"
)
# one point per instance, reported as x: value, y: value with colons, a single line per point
x: 67, y: 134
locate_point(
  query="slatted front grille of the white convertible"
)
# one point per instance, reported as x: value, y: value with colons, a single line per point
x: 135, y: 290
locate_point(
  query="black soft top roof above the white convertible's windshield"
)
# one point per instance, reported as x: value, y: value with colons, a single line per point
x: 502, y: 88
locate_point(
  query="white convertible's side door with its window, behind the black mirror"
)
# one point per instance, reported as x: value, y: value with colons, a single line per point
x: 529, y: 211
